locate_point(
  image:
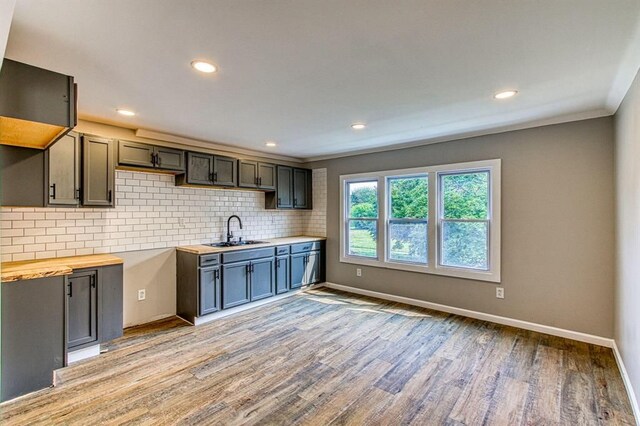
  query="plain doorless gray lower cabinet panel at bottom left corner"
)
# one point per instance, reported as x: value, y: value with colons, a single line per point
x: 33, y: 343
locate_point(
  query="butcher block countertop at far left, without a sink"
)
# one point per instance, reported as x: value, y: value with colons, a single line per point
x: 31, y: 269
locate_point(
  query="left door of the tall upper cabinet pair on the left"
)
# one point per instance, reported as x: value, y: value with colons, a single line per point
x: 64, y: 171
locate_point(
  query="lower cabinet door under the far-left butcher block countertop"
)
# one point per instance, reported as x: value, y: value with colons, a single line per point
x: 82, y: 314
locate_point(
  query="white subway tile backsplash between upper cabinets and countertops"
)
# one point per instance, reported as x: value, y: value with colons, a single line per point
x: 152, y: 212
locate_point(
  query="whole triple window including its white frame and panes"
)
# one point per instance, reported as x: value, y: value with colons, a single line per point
x: 440, y: 219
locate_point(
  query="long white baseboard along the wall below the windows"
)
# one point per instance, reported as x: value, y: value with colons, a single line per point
x: 554, y: 331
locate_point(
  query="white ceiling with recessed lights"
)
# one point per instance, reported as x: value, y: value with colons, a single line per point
x: 301, y: 71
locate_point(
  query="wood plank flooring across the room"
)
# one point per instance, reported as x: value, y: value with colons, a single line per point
x: 327, y: 357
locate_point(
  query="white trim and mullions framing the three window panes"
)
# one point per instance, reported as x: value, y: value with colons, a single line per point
x: 382, y: 261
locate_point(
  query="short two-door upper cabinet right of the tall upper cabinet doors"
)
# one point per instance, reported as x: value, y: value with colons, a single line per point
x: 138, y: 154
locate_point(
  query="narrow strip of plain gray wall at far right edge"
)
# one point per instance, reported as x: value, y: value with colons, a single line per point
x: 627, y: 302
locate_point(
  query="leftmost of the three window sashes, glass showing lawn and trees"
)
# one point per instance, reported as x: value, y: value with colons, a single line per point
x: 362, y: 219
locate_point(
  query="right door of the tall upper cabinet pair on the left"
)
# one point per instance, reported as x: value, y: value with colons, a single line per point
x: 98, y: 178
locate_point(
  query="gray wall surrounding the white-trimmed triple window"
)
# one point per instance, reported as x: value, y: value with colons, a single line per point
x: 557, y: 226
